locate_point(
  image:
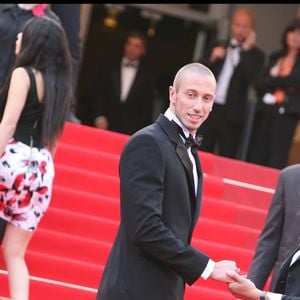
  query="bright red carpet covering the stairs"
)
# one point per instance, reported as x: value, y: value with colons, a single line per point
x: 67, y: 255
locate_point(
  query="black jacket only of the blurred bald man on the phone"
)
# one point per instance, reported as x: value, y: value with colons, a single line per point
x: 243, y: 76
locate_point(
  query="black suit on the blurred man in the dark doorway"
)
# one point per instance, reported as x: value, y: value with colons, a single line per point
x: 136, y: 112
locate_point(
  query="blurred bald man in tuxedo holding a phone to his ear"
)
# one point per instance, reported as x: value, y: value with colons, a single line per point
x: 235, y: 64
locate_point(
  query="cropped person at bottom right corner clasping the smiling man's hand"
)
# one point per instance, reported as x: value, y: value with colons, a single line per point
x: 287, y: 286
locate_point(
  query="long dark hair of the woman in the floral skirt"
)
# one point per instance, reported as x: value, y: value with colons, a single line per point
x: 44, y: 47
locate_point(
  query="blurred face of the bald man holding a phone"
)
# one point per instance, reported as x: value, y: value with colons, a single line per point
x: 241, y: 26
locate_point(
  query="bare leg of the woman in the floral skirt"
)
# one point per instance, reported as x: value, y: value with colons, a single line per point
x: 14, y: 245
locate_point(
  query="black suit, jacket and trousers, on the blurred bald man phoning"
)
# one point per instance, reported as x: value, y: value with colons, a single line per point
x: 226, y: 122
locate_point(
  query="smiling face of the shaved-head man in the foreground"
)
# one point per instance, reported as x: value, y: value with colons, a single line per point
x: 193, y: 100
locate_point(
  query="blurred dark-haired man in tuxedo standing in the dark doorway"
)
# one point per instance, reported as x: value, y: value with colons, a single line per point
x: 125, y: 91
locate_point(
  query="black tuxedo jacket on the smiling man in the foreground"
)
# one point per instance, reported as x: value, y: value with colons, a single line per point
x: 151, y: 257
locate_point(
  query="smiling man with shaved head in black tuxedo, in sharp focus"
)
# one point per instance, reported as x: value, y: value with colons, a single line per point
x: 161, y: 189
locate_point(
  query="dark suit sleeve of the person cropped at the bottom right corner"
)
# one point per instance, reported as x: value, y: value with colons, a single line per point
x: 288, y: 281
